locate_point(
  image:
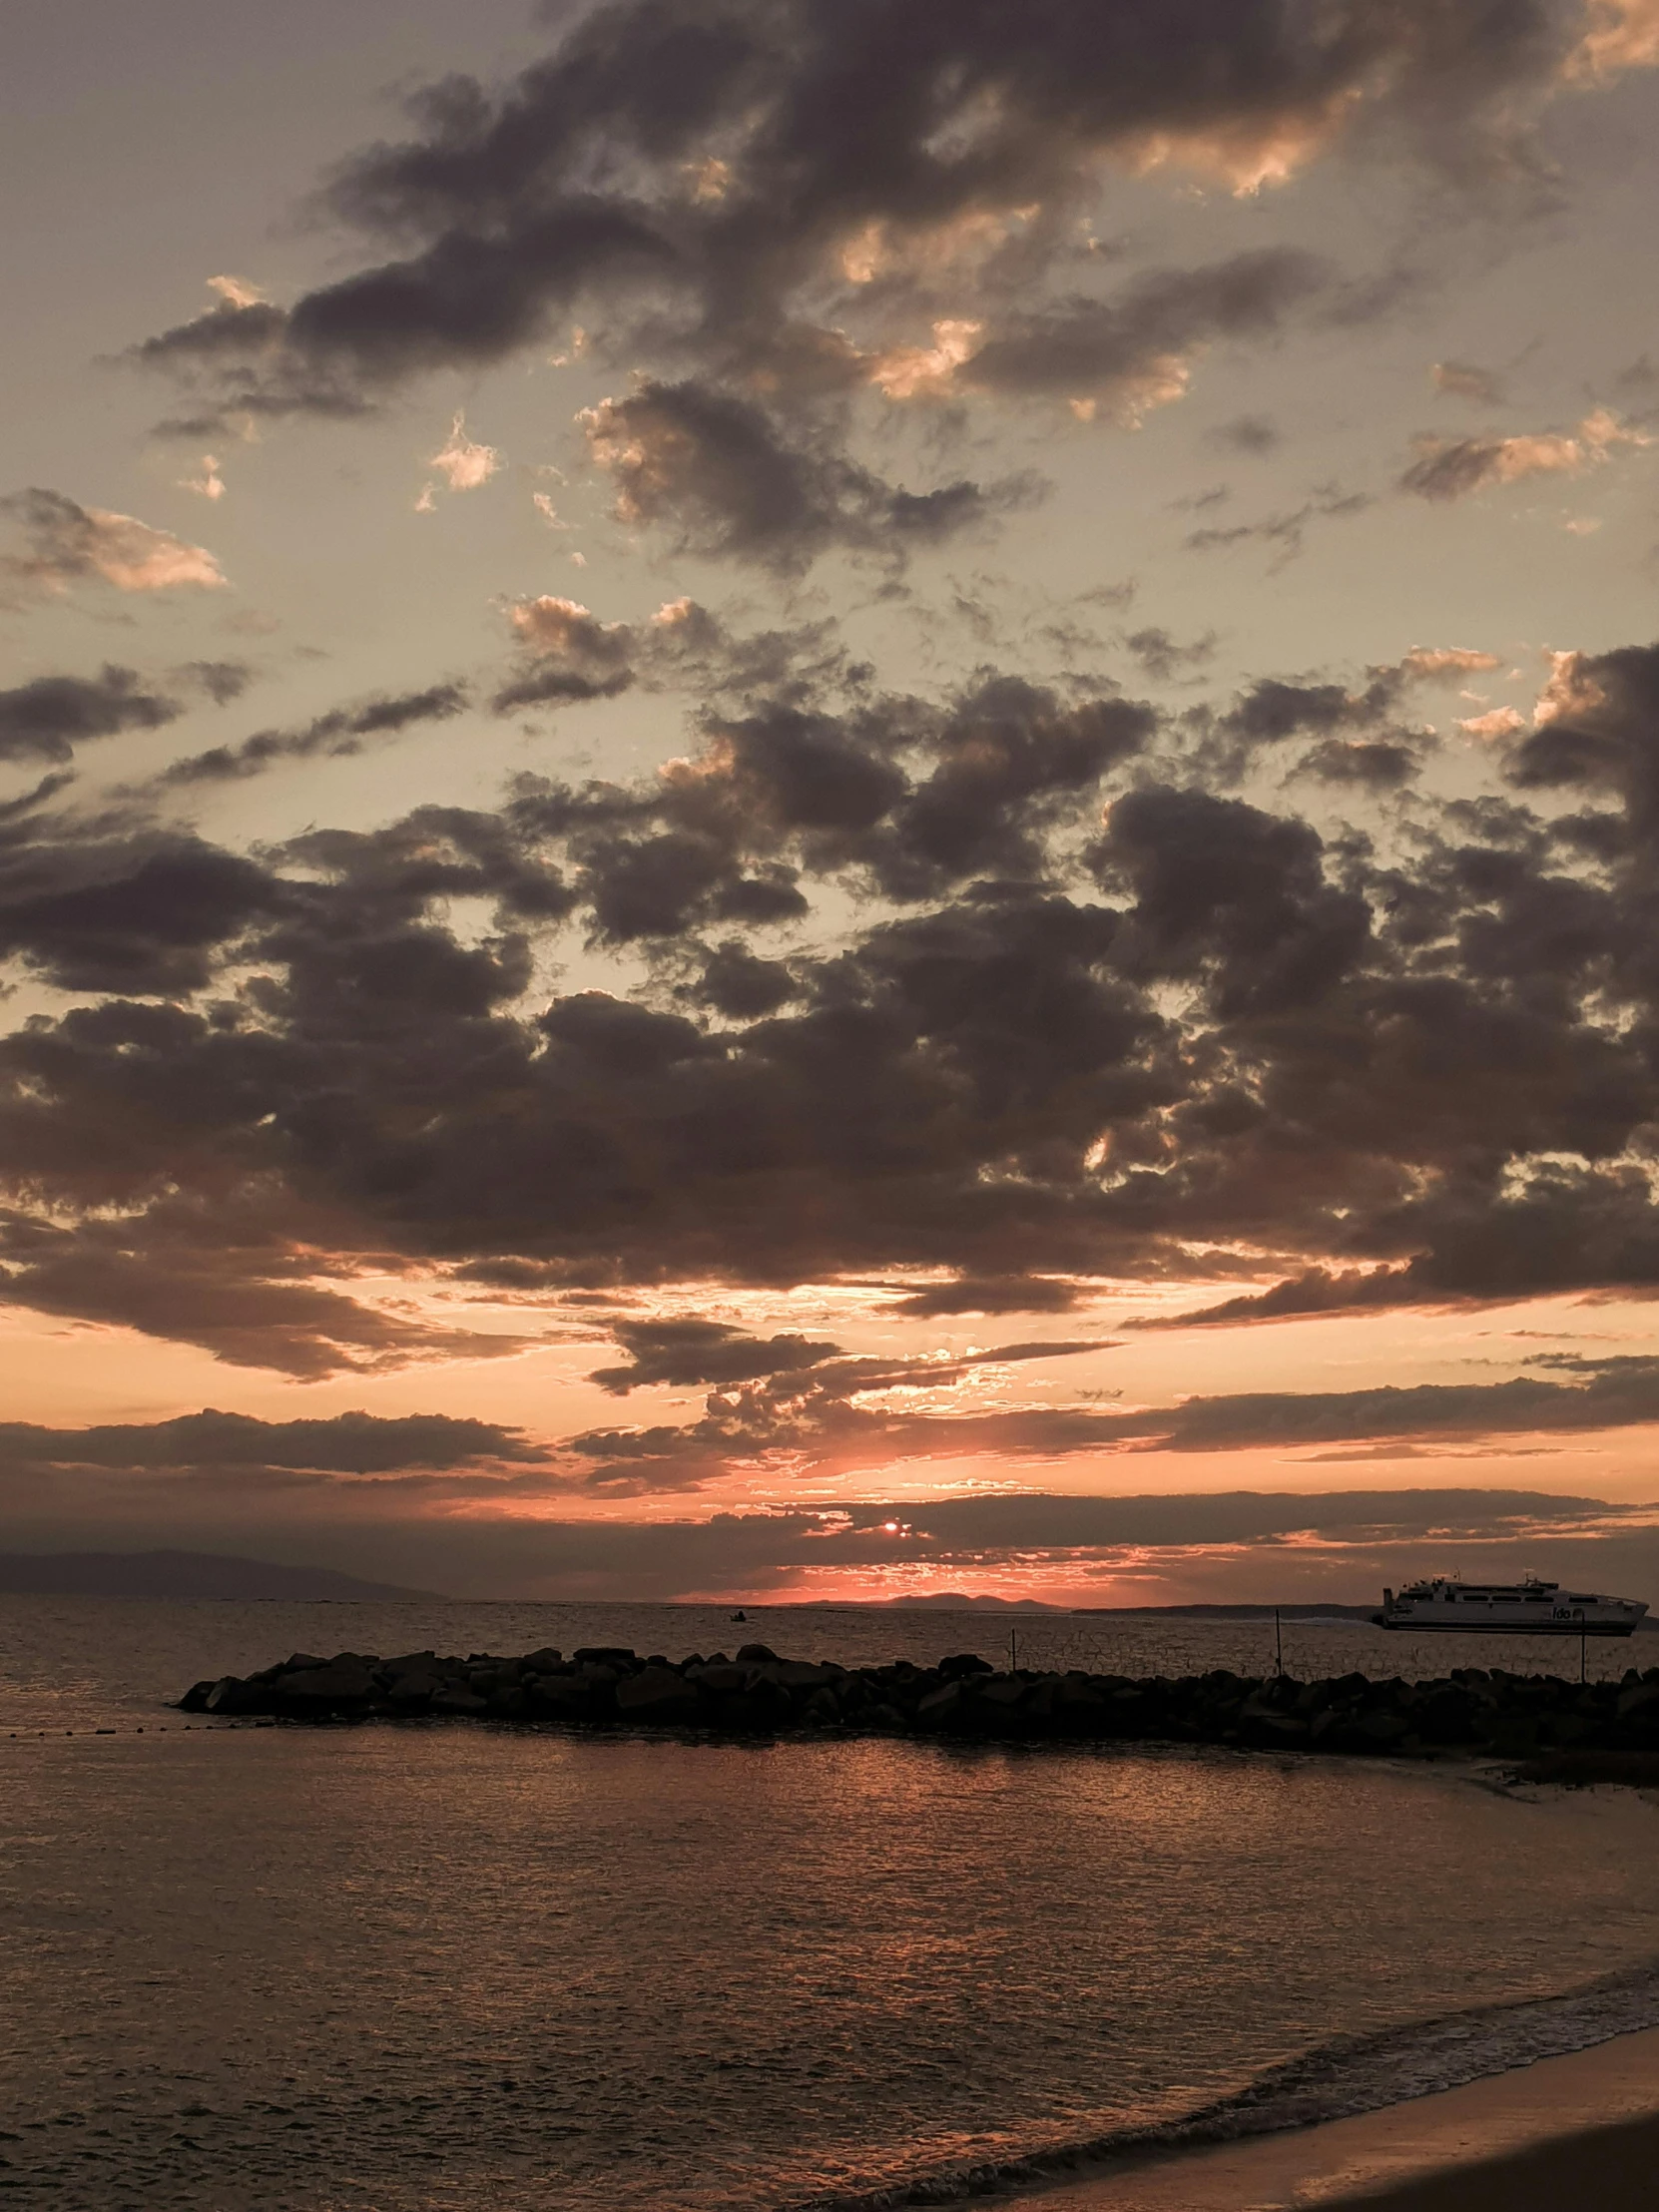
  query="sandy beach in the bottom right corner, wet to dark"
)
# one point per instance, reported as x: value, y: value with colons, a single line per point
x: 1580, y: 2131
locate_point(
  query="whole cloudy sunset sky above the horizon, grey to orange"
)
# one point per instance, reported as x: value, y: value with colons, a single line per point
x: 833, y: 797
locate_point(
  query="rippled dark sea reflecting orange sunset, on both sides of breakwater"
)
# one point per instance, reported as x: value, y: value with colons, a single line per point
x: 452, y: 1968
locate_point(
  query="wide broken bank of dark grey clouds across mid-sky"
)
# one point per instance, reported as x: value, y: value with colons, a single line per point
x: 1063, y: 1014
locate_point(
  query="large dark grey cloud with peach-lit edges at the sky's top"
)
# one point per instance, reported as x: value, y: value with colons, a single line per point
x: 813, y: 244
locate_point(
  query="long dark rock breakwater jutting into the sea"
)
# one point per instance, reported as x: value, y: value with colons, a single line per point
x: 1470, y: 1711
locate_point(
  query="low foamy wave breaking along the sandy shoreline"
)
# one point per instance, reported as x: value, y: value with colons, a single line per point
x: 1339, y: 2080
